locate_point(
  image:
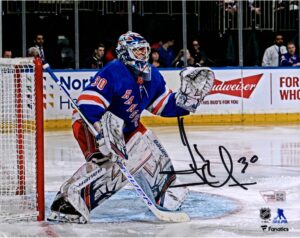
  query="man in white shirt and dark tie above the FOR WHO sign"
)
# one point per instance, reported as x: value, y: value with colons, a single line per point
x: 272, y: 55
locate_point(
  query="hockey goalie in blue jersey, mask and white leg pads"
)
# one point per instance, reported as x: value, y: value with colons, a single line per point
x: 113, y: 104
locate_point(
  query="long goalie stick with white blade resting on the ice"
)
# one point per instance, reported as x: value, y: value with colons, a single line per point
x: 169, y: 216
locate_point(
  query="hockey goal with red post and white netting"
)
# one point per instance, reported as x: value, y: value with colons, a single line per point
x: 21, y: 140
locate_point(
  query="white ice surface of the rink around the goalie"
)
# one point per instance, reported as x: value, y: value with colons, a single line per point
x: 278, y: 168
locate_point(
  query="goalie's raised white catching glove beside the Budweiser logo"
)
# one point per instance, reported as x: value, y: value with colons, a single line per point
x: 196, y: 83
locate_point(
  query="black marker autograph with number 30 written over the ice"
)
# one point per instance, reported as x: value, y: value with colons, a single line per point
x: 205, y: 171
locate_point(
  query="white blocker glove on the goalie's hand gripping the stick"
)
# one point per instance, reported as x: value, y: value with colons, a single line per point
x: 111, y: 138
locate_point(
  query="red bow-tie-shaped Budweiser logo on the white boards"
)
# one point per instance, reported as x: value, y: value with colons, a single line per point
x: 242, y: 87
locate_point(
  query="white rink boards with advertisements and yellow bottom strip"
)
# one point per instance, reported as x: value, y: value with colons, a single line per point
x: 239, y: 96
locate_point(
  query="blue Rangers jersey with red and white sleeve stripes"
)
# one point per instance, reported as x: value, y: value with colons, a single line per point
x: 115, y: 89
